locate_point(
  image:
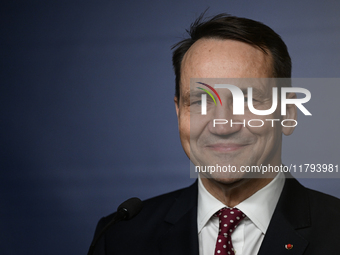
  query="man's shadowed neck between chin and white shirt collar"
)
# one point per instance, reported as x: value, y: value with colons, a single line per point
x: 233, y: 193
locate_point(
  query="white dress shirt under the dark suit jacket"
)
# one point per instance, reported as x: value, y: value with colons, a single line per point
x: 249, y: 234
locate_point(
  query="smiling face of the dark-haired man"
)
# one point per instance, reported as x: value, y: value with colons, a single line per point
x: 238, y: 146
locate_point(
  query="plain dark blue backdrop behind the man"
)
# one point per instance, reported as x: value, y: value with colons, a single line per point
x: 87, y: 114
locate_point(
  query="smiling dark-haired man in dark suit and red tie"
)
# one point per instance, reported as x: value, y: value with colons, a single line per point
x: 268, y: 215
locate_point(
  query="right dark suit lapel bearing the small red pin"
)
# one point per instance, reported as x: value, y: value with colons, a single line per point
x: 291, y: 213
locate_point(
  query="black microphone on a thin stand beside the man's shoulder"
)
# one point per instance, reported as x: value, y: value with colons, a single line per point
x: 126, y: 211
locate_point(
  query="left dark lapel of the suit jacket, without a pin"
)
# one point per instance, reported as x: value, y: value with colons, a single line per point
x: 181, y: 236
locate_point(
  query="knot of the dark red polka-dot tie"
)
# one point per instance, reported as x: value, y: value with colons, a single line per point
x: 229, y: 219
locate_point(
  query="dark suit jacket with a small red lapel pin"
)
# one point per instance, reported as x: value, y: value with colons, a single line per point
x: 307, y: 219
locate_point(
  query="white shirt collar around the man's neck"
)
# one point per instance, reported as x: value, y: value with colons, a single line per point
x: 259, y: 207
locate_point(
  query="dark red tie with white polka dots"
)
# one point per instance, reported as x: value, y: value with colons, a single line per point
x: 229, y: 219
